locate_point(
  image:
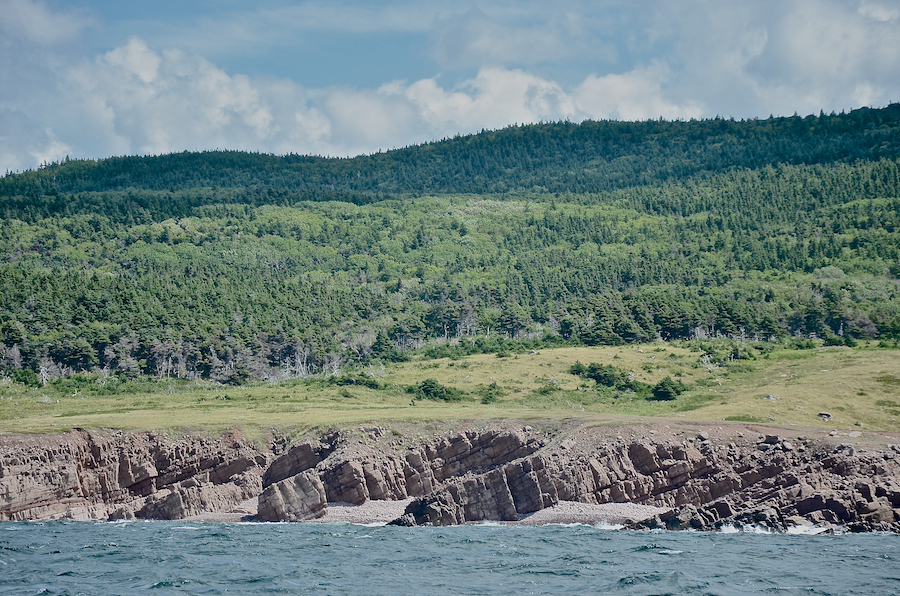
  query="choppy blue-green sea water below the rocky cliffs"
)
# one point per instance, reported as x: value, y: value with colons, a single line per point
x: 212, y: 558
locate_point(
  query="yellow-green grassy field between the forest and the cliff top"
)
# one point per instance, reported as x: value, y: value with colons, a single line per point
x: 859, y: 387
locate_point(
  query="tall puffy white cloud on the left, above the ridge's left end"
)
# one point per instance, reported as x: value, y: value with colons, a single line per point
x: 142, y: 101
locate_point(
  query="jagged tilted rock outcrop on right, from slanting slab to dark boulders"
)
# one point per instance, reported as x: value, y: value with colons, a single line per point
x: 772, y: 483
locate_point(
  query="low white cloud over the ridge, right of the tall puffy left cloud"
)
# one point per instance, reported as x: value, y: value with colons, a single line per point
x: 401, y: 113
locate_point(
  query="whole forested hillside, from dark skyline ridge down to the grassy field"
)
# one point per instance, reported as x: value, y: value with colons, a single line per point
x: 229, y: 265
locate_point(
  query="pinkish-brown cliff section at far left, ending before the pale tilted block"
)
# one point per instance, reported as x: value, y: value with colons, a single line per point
x: 89, y: 475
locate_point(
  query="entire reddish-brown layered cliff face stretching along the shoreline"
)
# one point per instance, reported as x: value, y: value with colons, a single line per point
x: 493, y: 474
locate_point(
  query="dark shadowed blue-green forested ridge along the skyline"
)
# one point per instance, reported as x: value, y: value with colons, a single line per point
x: 546, y: 158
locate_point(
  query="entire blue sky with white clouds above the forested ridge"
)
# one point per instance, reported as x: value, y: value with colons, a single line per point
x: 94, y: 78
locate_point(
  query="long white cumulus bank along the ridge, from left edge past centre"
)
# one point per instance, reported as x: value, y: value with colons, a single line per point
x: 135, y: 99
